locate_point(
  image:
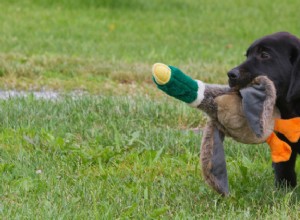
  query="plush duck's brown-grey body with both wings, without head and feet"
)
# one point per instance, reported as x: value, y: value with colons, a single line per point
x: 249, y: 120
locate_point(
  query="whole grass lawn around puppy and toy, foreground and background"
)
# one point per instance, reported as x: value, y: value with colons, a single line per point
x: 120, y: 149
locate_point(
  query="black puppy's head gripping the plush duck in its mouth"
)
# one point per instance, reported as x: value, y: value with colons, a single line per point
x: 276, y: 56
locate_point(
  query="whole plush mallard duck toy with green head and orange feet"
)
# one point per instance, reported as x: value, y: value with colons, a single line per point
x: 249, y: 116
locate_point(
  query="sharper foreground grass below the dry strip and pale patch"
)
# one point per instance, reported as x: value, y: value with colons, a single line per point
x: 119, y: 157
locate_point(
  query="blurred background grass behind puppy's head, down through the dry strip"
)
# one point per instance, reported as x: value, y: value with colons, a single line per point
x: 121, y: 39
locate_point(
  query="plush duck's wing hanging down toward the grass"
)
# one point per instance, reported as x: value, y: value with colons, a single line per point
x: 212, y: 159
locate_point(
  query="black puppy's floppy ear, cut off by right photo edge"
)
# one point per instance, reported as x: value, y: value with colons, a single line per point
x: 294, y: 87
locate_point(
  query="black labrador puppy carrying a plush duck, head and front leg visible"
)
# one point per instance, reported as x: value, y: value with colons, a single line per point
x: 278, y: 57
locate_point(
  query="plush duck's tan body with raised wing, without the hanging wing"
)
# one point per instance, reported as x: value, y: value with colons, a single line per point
x: 246, y: 115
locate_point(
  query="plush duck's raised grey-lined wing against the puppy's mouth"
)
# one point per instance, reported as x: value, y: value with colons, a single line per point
x: 258, y: 102
